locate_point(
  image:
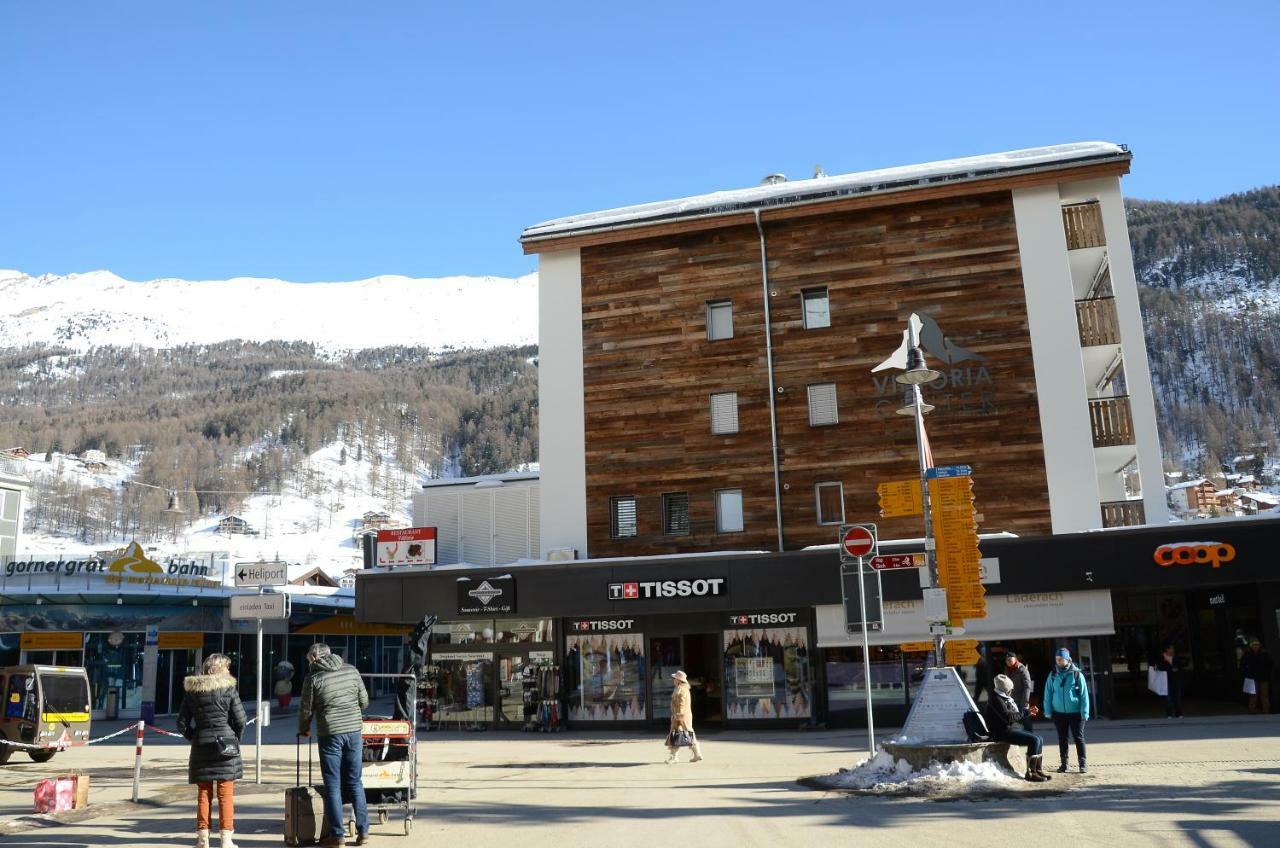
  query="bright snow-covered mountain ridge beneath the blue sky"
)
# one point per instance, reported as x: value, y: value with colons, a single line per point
x: 98, y: 309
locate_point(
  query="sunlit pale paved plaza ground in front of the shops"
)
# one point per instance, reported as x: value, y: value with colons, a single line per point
x: 1196, y: 782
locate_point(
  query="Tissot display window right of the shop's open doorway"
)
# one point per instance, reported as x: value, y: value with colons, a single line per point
x: 767, y: 674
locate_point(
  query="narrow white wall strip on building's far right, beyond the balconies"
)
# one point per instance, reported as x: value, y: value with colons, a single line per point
x: 1137, y: 370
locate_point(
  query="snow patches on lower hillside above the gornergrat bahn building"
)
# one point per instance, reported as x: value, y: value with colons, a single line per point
x: 314, y: 530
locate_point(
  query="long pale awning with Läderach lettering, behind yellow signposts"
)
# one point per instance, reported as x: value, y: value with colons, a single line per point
x: 1039, y: 616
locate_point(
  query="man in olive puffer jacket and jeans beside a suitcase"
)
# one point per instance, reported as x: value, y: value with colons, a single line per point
x: 336, y: 696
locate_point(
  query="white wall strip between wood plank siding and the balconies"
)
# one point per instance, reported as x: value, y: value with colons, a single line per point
x: 1060, y: 387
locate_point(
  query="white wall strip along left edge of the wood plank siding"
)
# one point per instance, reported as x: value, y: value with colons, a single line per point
x: 561, y: 423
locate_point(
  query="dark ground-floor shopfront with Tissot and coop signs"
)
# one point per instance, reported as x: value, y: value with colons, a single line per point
x: 764, y: 640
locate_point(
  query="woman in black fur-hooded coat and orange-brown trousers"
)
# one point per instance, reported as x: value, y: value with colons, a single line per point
x: 212, y: 719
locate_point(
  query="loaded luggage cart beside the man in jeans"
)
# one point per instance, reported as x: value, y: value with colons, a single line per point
x: 392, y: 745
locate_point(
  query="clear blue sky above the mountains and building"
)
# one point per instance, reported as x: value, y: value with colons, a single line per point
x: 339, y: 142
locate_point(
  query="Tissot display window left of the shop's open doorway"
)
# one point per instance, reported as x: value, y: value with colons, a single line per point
x: 605, y: 677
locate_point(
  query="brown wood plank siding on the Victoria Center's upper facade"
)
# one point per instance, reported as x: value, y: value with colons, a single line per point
x: 650, y: 372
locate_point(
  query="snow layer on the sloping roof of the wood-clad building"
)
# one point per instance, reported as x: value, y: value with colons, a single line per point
x: 803, y: 192
